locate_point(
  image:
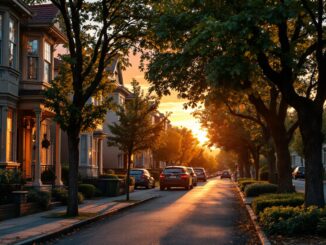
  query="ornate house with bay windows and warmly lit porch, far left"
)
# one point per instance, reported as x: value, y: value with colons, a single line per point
x: 30, y: 139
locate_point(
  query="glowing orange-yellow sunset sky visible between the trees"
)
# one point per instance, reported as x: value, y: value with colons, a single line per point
x: 179, y: 117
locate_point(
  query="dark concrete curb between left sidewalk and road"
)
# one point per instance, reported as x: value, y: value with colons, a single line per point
x: 48, y: 236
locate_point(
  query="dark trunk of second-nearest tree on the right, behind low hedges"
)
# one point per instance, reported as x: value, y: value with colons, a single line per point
x: 283, y: 158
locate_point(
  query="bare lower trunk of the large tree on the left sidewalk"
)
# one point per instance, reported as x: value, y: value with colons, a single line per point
x: 73, y: 145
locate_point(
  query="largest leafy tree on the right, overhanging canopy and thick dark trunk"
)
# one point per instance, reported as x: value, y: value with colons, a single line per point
x: 232, y: 42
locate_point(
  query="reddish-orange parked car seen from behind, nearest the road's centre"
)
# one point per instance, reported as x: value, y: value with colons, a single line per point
x: 175, y: 176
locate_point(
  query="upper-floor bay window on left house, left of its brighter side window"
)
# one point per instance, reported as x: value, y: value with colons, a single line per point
x: 32, y: 59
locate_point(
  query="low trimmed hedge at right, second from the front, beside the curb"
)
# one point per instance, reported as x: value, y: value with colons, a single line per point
x: 271, y: 200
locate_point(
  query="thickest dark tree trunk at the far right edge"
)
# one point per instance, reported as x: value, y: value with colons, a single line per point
x: 310, y: 121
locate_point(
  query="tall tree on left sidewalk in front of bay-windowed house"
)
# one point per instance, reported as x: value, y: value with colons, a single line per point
x: 97, y: 32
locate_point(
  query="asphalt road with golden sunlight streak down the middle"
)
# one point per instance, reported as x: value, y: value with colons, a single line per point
x: 211, y: 213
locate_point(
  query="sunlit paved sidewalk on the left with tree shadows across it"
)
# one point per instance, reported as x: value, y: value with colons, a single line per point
x: 36, y: 227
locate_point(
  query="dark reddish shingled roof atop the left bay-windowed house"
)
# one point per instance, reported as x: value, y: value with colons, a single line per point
x: 43, y: 14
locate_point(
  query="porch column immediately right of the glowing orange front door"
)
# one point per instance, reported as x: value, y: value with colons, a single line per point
x: 37, y: 171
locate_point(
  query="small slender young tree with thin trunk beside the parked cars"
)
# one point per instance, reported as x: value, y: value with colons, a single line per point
x: 135, y: 130
